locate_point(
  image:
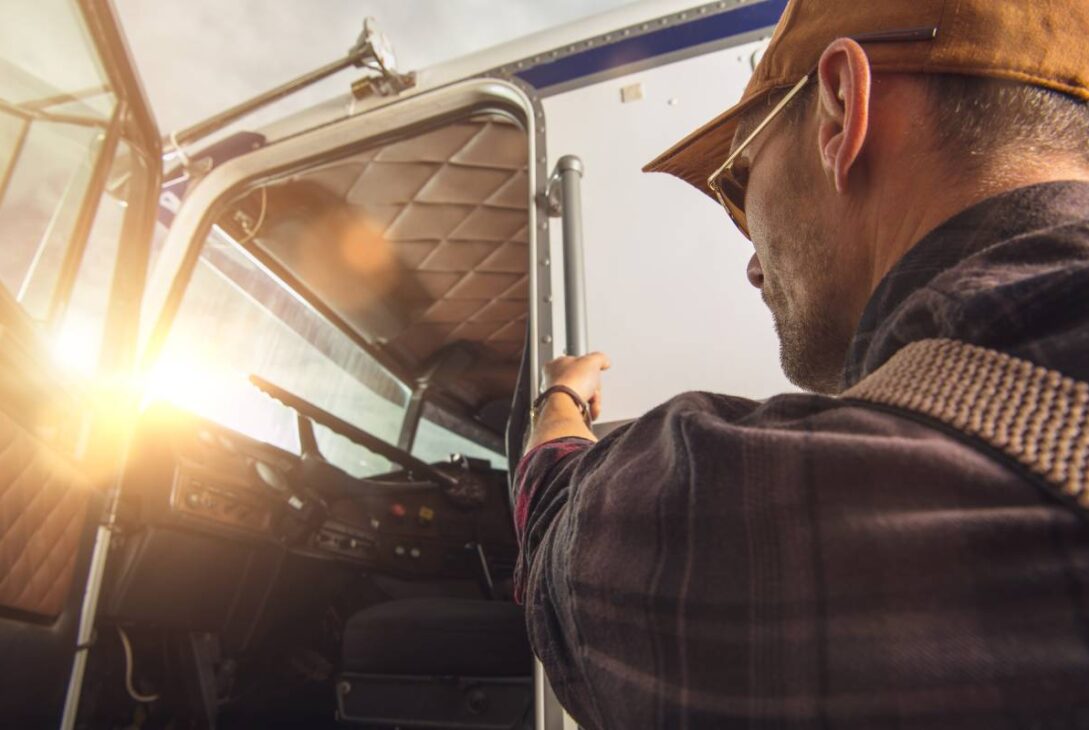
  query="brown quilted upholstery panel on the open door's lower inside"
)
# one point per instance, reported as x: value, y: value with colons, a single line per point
x: 43, y: 505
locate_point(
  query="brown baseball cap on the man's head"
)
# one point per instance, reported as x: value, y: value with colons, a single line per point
x: 1045, y: 43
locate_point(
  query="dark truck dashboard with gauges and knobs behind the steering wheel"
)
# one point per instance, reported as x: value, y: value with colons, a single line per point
x: 214, y: 525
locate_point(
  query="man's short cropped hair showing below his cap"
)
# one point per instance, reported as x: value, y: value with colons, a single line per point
x: 978, y: 119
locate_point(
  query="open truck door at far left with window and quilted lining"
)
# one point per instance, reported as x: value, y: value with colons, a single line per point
x: 80, y: 169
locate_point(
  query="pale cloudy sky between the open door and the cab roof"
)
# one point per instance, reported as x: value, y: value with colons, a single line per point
x: 200, y: 57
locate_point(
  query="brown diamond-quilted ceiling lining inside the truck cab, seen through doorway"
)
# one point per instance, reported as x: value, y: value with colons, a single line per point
x: 419, y: 246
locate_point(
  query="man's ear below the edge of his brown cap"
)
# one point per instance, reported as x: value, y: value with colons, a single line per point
x: 843, y: 119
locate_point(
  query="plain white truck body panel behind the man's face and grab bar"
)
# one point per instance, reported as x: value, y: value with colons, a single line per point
x: 667, y: 294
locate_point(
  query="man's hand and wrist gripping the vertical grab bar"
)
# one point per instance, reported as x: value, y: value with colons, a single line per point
x: 559, y: 417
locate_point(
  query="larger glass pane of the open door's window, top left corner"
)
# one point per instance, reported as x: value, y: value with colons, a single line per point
x: 55, y: 108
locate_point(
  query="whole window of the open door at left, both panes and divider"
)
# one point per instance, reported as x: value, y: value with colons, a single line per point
x: 66, y: 176
